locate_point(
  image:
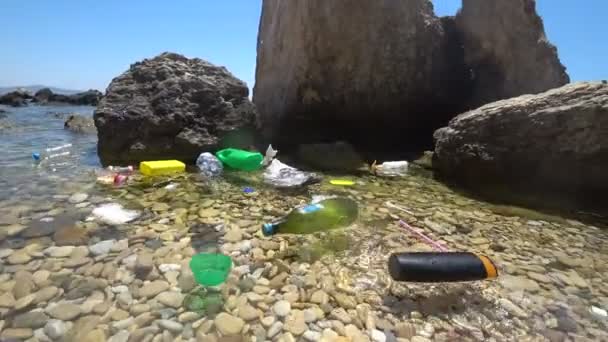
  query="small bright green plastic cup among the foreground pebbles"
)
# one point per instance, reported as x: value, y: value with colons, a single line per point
x: 210, y: 269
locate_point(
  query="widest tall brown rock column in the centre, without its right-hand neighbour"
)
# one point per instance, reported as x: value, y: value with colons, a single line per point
x: 362, y: 71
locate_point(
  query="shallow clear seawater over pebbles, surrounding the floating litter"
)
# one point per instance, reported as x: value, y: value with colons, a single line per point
x: 552, y: 270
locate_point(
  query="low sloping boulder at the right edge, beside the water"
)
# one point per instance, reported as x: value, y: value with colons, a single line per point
x: 553, y: 144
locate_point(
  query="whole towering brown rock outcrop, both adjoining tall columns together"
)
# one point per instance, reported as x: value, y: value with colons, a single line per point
x: 388, y: 73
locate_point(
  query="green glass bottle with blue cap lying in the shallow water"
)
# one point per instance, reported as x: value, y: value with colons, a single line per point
x: 327, y: 214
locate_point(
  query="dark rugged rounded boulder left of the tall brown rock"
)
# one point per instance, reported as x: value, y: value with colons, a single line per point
x: 171, y: 107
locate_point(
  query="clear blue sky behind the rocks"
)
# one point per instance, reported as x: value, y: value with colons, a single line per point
x: 81, y: 44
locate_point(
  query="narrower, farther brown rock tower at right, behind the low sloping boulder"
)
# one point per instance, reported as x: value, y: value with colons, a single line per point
x: 507, y: 50
